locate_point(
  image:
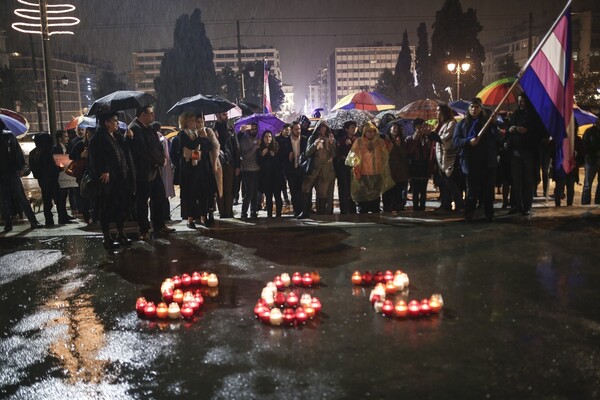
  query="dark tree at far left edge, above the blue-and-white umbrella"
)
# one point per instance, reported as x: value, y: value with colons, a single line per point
x: 15, y: 87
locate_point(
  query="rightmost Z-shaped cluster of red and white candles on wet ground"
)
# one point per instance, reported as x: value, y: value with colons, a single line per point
x: 389, y: 287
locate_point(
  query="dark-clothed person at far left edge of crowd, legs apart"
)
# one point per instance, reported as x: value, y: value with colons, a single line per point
x: 11, y: 188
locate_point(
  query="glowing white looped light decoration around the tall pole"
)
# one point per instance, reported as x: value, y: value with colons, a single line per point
x: 54, y: 18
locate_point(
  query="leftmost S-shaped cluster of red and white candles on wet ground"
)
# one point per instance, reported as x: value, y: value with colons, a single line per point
x: 182, y: 297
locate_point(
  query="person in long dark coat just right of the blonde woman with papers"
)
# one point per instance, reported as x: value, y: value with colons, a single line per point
x: 230, y: 161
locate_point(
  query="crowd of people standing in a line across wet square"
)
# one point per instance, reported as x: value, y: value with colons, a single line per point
x: 130, y: 174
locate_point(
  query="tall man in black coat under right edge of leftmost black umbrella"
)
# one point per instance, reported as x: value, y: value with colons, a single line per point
x: 148, y: 157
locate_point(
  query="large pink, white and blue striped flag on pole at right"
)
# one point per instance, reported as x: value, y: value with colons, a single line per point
x: 548, y: 82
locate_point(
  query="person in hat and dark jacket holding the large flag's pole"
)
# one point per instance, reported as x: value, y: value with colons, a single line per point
x: 478, y: 152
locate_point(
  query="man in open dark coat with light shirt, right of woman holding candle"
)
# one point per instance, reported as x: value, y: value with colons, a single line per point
x: 291, y: 149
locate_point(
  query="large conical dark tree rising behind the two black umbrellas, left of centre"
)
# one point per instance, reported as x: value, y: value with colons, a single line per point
x: 187, y: 69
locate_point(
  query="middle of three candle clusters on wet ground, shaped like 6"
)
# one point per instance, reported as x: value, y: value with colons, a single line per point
x: 283, y: 303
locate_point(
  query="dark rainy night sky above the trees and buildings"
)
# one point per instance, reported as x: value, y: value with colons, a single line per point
x: 305, y: 32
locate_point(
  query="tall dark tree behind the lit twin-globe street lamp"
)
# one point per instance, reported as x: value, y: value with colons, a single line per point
x: 454, y: 38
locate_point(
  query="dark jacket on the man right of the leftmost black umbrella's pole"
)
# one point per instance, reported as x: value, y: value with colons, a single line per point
x: 147, y: 152
